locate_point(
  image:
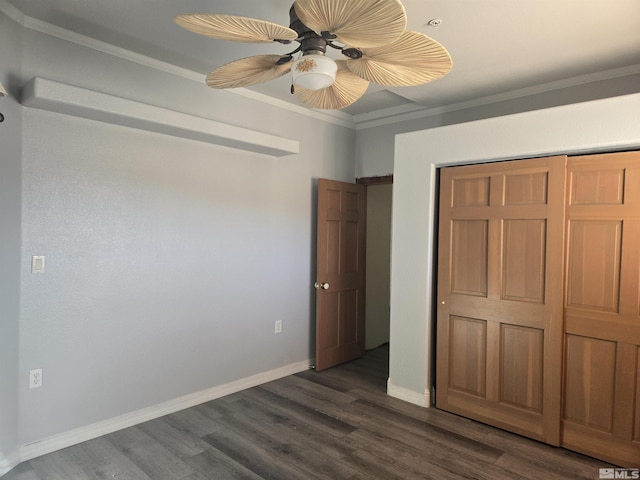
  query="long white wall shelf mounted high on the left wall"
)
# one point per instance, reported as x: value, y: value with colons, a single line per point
x: 58, y: 97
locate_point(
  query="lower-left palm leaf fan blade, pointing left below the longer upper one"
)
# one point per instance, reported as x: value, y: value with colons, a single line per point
x: 247, y: 71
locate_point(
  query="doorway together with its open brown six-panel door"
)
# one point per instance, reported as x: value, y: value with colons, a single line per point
x: 348, y: 226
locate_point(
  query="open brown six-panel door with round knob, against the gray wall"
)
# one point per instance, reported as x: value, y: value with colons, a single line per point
x: 340, y: 273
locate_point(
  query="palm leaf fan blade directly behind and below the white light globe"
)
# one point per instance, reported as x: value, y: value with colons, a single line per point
x: 345, y: 90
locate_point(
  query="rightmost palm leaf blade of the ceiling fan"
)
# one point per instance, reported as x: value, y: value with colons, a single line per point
x: 411, y: 60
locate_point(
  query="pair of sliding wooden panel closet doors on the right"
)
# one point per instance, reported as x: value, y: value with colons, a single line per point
x: 538, y: 300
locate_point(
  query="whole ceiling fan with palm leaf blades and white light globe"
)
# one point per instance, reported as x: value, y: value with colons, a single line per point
x: 370, y: 34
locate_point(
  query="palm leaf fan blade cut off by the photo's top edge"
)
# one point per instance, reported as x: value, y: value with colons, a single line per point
x: 360, y: 23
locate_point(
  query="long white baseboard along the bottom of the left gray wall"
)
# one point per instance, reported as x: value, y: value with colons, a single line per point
x: 89, y: 432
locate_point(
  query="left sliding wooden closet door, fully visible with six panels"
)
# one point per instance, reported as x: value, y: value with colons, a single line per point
x: 499, y: 294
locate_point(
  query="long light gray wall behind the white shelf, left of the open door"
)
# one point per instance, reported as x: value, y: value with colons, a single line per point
x: 167, y: 260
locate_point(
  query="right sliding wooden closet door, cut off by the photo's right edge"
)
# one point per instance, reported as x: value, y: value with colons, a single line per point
x: 601, y: 414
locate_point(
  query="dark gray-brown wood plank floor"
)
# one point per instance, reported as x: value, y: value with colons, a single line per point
x: 336, y: 424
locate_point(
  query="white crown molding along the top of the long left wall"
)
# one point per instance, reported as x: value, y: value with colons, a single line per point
x: 339, y: 118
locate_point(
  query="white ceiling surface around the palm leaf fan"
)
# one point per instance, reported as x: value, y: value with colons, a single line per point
x: 500, y: 48
